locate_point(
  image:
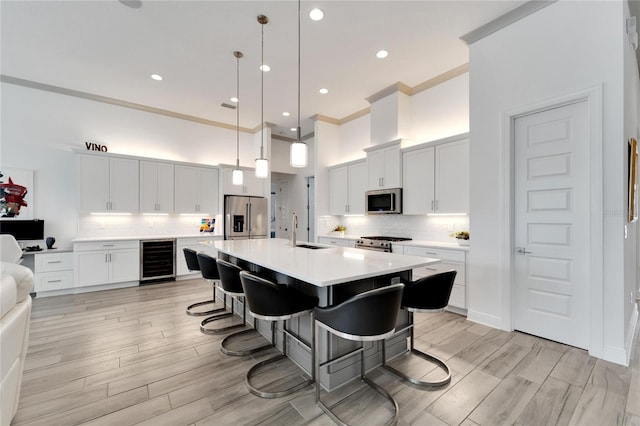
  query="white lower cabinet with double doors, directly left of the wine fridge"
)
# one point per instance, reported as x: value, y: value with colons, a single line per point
x: 106, y: 262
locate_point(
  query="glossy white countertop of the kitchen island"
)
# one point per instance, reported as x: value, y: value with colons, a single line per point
x: 323, y: 267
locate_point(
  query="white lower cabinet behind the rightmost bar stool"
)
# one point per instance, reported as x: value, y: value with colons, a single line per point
x: 449, y: 259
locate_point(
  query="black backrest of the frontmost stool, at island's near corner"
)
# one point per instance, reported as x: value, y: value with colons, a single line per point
x: 371, y: 313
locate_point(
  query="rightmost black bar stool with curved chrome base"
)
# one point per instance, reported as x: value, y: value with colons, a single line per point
x: 427, y: 294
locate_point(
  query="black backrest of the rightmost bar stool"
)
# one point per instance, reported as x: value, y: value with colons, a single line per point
x: 429, y: 293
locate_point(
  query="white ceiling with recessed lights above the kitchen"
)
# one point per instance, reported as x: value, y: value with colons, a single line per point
x: 110, y: 48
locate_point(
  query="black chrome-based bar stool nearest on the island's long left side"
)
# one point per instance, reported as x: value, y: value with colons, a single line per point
x: 274, y: 302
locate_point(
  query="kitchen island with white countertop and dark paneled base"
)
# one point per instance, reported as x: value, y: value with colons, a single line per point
x: 333, y: 274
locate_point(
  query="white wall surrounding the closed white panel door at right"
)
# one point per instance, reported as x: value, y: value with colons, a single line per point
x: 562, y: 49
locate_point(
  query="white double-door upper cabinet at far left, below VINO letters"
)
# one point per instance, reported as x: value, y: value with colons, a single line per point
x: 107, y: 184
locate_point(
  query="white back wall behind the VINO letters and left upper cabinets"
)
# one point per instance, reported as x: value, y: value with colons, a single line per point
x: 40, y: 128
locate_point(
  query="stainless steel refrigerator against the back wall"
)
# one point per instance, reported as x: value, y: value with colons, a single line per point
x: 245, y: 217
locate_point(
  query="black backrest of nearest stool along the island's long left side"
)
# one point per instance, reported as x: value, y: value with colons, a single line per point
x: 273, y: 300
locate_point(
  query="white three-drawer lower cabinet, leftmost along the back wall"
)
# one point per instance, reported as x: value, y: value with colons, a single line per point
x: 52, y: 271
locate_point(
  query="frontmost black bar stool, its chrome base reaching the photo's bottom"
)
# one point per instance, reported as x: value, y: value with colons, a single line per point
x: 365, y: 317
